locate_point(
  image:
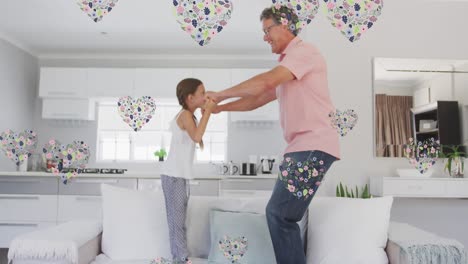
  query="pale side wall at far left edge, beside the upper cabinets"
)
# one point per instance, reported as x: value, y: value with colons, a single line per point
x: 18, y: 82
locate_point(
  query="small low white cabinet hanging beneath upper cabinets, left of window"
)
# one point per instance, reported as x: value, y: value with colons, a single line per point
x: 71, y: 109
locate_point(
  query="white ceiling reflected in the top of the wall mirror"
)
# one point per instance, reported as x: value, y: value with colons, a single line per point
x: 410, y: 72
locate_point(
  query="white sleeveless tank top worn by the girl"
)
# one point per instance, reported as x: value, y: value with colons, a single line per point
x: 179, y: 161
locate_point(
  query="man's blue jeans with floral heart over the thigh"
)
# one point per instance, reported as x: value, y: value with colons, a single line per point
x: 300, y: 176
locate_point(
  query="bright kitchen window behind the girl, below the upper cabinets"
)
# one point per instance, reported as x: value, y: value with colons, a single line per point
x: 118, y: 142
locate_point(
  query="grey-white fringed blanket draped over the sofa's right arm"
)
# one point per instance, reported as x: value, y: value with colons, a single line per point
x: 422, y: 247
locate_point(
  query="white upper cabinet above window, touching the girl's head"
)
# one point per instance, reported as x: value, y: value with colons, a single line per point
x: 159, y: 83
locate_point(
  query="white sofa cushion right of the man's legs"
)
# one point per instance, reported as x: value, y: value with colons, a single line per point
x: 345, y: 230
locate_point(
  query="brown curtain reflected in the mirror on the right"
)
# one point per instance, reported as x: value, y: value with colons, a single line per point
x: 393, y: 124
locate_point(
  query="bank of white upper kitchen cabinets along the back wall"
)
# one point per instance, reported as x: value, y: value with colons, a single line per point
x: 87, y: 83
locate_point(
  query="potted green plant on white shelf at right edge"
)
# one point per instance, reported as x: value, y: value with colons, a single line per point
x: 455, y: 164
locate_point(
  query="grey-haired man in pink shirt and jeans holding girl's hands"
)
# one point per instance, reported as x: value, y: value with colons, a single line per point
x: 299, y: 82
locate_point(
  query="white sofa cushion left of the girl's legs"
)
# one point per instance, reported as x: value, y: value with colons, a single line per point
x: 134, y: 224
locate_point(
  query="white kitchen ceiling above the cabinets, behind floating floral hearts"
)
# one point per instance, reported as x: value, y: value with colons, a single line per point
x: 51, y: 27
